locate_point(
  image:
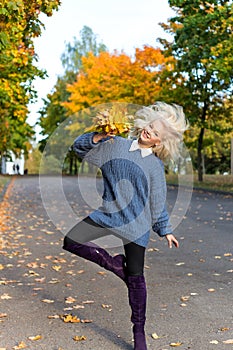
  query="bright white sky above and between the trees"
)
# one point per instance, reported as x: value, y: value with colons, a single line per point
x: 119, y: 24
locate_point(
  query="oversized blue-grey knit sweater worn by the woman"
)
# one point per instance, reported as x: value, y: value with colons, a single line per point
x: 134, y: 192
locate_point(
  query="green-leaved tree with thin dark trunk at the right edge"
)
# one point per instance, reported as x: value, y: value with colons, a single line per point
x: 203, y: 48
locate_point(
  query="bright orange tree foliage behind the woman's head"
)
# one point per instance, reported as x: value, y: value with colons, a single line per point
x: 117, y: 78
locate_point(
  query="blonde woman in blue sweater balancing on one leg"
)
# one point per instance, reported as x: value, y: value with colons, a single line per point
x: 133, y: 199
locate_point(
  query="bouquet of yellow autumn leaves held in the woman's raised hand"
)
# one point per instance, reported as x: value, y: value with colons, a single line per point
x: 113, y: 120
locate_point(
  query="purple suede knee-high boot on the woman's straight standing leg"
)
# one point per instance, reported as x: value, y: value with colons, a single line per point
x: 137, y: 300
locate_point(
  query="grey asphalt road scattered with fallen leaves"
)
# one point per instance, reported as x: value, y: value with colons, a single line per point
x: 190, y: 289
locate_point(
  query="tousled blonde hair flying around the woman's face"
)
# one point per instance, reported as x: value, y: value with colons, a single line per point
x: 174, y: 122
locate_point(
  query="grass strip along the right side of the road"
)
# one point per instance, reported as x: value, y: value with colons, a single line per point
x: 210, y: 182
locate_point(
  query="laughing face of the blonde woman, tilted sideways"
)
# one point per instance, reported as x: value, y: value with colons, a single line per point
x: 151, y: 135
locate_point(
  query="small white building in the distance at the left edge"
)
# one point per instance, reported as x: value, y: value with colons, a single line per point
x: 13, y: 166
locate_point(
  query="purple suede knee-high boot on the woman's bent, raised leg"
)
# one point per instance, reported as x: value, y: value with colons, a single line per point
x: 98, y: 255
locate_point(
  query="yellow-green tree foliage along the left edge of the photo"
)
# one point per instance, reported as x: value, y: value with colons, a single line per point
x: 20, y: 24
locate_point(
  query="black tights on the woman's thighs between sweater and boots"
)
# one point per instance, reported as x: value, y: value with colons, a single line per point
x: 87, y: 230
